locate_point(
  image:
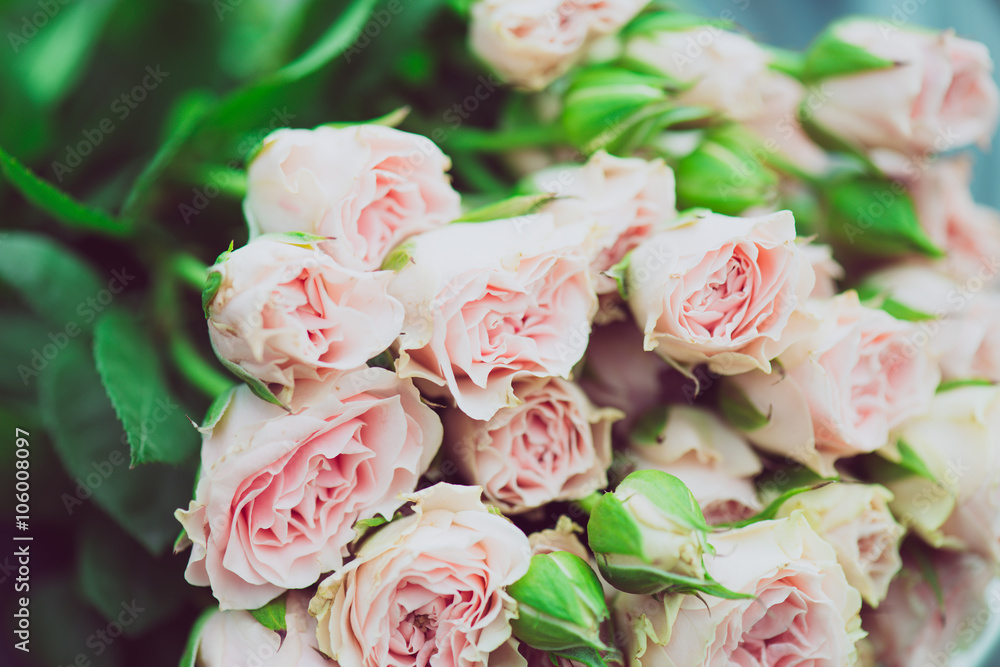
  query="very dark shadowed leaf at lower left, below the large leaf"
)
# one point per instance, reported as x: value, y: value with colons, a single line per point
x: 113, y: 569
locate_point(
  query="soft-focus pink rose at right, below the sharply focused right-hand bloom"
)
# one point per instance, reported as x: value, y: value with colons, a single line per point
x: 843, y: 388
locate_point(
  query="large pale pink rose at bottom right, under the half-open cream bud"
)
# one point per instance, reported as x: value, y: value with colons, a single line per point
x: 804, y: 613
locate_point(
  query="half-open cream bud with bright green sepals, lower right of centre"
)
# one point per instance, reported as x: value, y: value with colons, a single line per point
x: 649, y: 536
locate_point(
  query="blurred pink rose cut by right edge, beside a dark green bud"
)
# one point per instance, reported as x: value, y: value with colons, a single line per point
x: 968, y: 232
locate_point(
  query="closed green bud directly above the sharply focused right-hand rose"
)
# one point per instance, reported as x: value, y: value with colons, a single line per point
x: 726, y: 173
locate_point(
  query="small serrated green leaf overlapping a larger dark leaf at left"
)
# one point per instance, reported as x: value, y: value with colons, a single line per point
x: 126, y: 360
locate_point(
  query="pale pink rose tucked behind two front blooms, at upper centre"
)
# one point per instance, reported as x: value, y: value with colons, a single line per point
x: 628, y: 197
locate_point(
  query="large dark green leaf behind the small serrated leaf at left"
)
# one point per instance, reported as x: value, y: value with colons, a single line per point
x: 93, y: 450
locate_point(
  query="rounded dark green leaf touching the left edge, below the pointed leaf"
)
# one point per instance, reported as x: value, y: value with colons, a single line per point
x: 51, y: 279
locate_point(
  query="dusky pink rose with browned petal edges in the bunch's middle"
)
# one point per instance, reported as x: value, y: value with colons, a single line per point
x: 554, y: 445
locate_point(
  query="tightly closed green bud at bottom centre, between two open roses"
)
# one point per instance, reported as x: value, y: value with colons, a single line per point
x: 560, y: 606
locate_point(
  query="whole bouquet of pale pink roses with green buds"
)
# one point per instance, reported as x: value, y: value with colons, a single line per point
x: 712, y: 379
